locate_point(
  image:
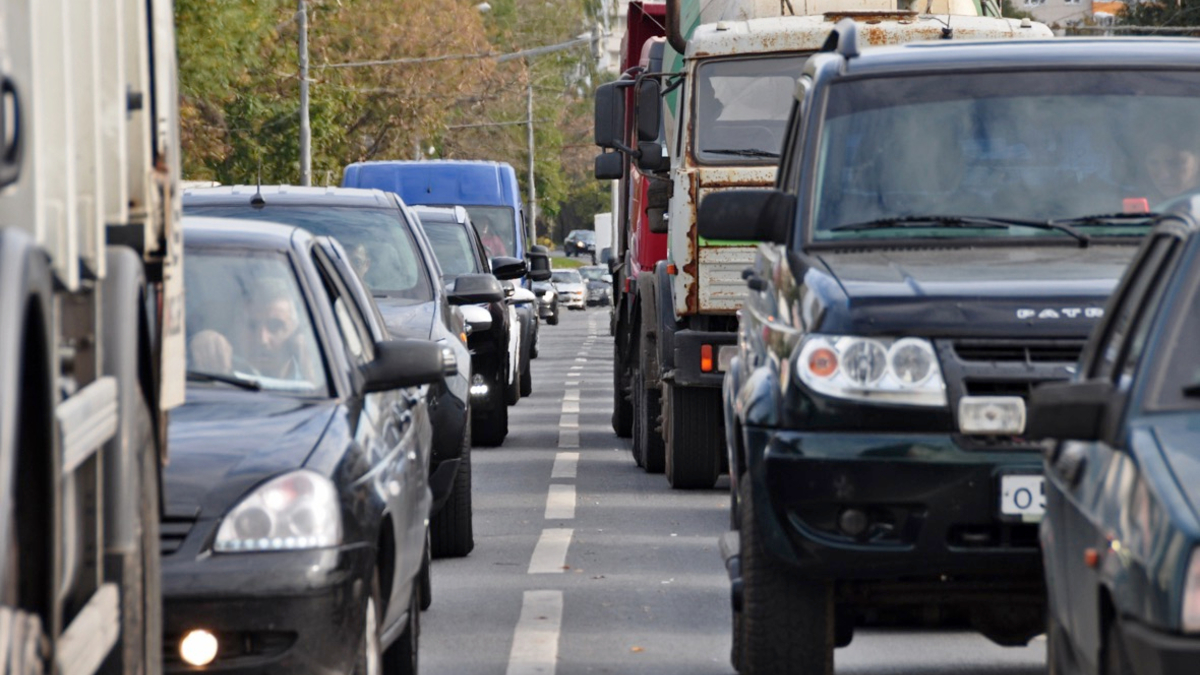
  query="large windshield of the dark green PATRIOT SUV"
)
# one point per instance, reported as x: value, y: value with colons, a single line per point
x: 1000, y: 156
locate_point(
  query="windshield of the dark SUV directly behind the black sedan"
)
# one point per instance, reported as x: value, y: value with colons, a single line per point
x: 381, y: 248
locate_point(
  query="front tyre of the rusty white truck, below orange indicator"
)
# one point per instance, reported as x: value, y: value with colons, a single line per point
x: 694, y: 438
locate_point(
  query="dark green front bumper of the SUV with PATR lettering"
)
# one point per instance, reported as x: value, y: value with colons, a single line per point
x: 932, y: 510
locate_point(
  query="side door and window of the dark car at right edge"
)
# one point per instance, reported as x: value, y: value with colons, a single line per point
x: 1089, y: 483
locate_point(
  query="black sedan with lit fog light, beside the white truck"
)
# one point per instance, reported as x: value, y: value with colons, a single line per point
x: 297, y: 499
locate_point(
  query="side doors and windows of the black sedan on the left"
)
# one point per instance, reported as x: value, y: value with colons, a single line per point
x: 391, y: 425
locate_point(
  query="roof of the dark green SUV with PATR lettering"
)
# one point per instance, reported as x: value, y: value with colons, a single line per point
x: 1060, y: 53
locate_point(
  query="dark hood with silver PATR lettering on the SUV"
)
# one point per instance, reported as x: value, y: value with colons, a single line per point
x: 1042, y: 291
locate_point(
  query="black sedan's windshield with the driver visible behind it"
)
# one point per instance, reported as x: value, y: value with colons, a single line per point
x: 249, y: 326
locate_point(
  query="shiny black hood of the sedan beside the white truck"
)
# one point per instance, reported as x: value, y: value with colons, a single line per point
x: 224, y: 443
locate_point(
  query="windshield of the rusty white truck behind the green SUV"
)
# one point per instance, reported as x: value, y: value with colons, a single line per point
x: 742, y: 109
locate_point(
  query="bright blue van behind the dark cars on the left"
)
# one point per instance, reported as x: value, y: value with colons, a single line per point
x: 489, y: 192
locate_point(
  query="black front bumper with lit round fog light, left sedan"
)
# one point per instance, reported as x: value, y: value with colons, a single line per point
x: 292, y: 612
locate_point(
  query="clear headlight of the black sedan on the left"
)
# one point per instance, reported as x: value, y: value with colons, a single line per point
x: 292, y: 512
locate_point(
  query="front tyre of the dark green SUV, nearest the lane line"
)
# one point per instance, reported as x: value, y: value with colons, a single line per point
x: 787, y: 623
